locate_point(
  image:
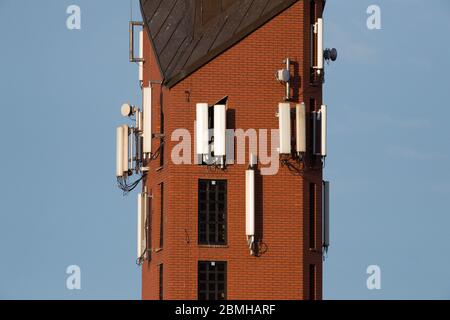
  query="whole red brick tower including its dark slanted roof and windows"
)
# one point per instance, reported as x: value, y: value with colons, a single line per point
x: 199, y: 51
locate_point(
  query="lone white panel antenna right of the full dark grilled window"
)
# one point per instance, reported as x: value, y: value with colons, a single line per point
x: 250, y: 207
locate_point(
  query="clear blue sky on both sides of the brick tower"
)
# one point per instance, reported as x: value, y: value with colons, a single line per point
x: 60, y: 96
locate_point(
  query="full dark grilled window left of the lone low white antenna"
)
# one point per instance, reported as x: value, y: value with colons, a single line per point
x: 212, y: 212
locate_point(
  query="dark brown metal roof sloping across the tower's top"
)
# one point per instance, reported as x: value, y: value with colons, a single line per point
x: 187, y: 34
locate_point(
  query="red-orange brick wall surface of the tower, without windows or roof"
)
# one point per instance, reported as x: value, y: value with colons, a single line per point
x: 246, y: 73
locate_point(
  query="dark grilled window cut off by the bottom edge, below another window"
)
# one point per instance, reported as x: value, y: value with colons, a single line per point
x: 212, y: 280
